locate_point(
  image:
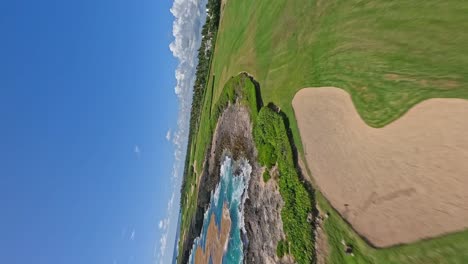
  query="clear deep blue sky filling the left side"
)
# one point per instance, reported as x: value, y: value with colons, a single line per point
x: 86, y: 102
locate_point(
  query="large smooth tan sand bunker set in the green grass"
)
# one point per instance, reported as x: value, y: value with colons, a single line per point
x: 396, y: 184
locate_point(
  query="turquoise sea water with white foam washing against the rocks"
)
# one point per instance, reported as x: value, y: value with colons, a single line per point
x: 230, y: 190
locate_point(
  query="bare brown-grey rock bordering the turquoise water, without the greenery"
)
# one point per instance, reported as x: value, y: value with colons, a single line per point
x: 263, y: 227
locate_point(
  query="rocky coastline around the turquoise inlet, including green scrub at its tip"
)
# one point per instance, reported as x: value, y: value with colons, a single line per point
x: 262, y: 229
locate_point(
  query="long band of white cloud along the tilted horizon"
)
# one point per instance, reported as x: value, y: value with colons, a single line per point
x: 189, y: 17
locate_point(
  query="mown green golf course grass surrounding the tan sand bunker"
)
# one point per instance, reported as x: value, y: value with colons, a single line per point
x: 387, y: 55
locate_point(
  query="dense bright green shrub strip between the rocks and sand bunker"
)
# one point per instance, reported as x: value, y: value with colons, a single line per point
x: 273, y: 145
